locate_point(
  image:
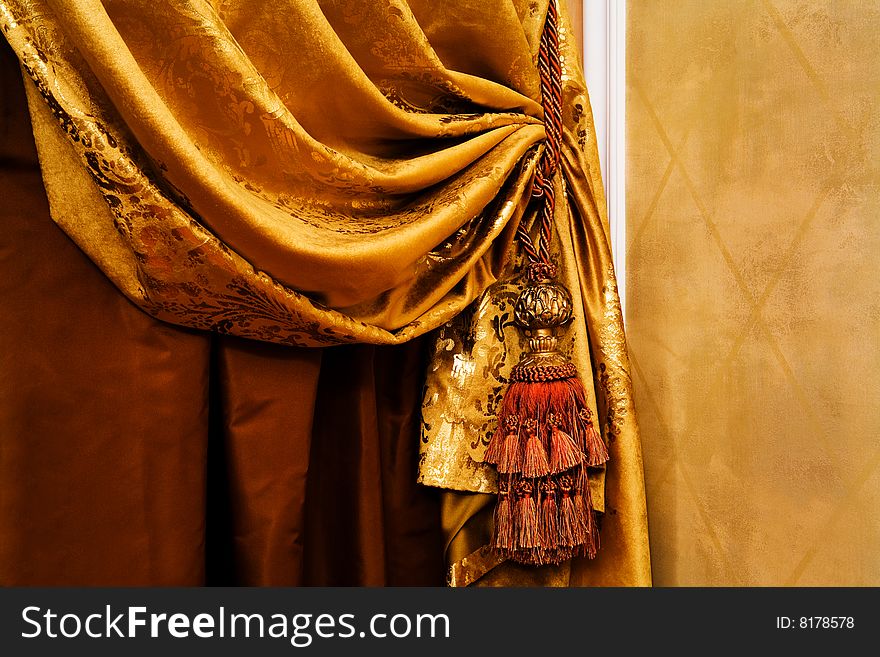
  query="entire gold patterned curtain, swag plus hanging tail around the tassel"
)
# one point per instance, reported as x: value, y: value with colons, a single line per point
x: 315, y: 173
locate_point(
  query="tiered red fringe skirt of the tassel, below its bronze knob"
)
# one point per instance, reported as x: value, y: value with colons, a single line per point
x: 544, y: 443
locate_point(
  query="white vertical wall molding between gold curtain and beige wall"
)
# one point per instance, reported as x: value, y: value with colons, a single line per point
x: 605, y: 71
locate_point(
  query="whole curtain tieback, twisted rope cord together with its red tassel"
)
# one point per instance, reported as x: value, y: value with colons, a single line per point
x: 545, y: 438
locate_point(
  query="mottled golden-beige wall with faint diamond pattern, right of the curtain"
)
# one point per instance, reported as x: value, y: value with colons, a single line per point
x: 753, y: 245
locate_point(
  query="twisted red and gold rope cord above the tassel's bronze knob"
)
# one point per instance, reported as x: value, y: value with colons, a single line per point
x: 550, y: 70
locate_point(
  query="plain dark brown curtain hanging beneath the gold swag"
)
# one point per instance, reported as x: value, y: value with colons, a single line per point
x: 133, y: 452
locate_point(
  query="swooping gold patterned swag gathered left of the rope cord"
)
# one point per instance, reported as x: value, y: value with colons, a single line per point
x: 268, y: 207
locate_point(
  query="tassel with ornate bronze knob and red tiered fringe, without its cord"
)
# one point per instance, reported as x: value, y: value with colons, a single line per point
x: 544, y: 443
